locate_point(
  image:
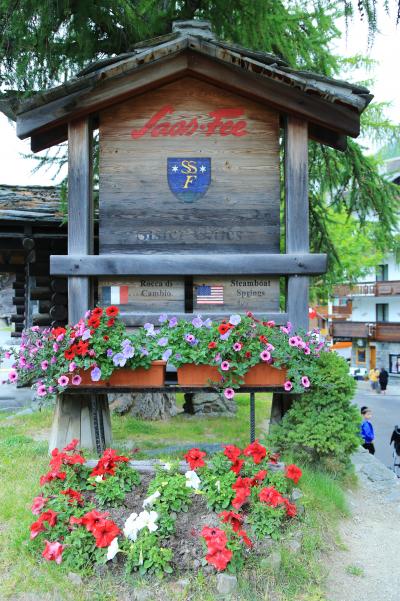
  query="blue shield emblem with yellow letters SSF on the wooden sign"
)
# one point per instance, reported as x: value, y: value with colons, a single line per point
x: 189, y: 178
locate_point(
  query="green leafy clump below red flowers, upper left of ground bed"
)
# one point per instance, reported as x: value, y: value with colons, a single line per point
x: 112, y: 489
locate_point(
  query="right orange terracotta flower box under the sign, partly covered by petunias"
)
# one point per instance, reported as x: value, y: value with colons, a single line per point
x: 262, y: 375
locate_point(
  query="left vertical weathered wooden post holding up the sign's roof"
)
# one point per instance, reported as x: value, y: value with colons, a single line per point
x: 80, y: 211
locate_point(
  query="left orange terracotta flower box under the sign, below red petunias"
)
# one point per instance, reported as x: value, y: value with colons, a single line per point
x: 124, y: 376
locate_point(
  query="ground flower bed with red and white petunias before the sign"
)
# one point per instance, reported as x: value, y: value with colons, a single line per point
x: 215, y: 513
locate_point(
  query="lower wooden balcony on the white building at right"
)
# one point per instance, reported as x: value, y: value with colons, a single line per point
x: 379, y: 331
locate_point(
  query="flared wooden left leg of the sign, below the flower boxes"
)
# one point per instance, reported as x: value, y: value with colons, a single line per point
x: 85, y: 417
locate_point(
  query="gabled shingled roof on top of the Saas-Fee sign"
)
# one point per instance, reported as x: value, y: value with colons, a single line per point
x: 331, y: 106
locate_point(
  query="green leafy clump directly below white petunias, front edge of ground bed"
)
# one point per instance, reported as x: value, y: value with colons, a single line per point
x: 146, y: 556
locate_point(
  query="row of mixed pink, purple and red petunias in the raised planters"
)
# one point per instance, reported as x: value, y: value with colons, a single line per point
x: 53, y: 359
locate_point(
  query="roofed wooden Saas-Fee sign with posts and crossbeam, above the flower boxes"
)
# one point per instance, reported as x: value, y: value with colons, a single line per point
x: 189, y: 194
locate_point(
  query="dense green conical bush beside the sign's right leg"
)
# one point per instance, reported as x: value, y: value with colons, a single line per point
x: 322, y: 426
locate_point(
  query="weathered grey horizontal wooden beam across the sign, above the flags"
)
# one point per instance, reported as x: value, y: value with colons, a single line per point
x: 187, y: 264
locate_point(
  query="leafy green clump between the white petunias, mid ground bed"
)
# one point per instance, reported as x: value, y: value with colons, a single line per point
x: 175, y: 495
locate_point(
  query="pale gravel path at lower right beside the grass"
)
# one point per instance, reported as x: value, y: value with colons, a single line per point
x: 368, y: 565
